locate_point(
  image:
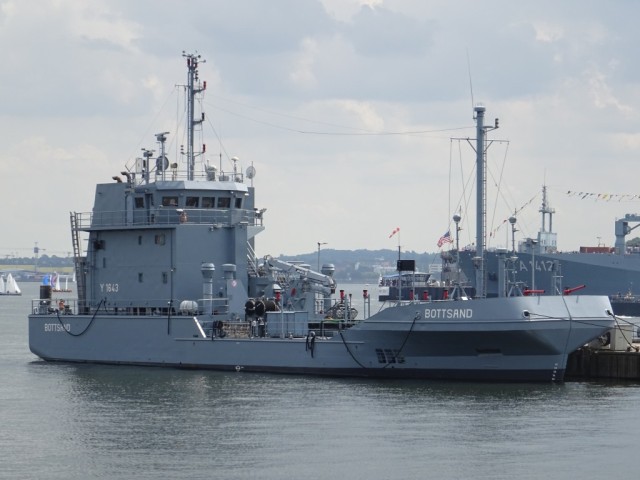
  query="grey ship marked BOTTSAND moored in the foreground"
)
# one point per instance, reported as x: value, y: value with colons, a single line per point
x: 170, y: 277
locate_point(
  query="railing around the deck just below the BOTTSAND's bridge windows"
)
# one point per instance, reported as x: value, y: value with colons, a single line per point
x: 166, y: 216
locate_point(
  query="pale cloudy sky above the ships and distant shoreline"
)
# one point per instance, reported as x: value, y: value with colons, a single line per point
x: 354, y: 113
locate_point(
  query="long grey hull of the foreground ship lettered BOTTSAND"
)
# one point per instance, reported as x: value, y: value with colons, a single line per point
x: 487, y: 340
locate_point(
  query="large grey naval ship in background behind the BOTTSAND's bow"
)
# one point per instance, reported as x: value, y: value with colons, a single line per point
x: 596, y: 270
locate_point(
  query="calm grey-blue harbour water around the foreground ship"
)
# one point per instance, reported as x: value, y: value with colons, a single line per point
x: 76, y: 422
